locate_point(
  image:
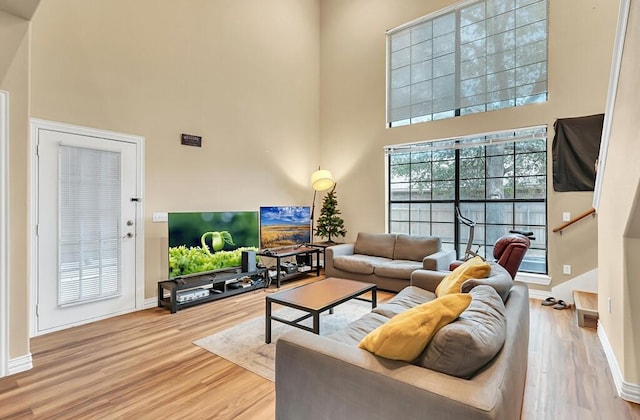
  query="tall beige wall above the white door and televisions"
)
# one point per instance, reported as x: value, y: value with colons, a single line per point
x: 242, y: 74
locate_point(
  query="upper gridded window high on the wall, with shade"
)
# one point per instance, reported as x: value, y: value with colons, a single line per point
x: 476, y: 56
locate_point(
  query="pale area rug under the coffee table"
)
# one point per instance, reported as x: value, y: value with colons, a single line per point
x: 244, y: 344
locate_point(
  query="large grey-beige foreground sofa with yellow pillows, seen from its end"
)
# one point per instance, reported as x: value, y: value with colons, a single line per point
x: 321, y: 377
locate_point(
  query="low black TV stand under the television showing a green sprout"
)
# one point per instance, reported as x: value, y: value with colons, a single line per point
x: 184, y: 292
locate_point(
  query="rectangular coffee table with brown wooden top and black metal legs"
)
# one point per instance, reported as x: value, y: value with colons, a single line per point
x: 316, y: 298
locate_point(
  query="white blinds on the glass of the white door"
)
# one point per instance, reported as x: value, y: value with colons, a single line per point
x: 89, y: 235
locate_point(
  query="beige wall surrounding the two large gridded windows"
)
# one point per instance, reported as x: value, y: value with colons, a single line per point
x: 353, y: 129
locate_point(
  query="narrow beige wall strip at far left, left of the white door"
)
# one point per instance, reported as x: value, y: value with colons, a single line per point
x: 14, y: 66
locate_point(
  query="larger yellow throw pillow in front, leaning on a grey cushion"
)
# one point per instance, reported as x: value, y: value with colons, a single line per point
x: 407, y: 334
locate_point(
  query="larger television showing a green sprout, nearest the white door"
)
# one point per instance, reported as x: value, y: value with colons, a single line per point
x: 210, y: 241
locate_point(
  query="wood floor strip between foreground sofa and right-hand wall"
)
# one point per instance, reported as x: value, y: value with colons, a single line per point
x: 568, y: 376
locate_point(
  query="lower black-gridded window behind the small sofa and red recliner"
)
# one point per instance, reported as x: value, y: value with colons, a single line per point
x: 498, y: 180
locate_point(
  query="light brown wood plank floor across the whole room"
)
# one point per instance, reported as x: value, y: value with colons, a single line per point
x: 144, y: 365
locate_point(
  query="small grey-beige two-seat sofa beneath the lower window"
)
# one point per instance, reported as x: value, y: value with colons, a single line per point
x: 386, y: 259
